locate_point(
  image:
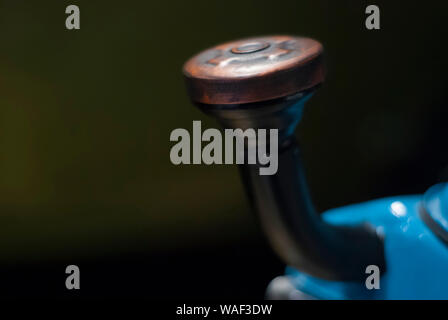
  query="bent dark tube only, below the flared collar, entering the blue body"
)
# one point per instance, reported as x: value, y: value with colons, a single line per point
x: 296, y: 231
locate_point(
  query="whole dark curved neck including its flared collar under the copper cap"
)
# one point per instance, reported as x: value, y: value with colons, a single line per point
x: 284, y: 206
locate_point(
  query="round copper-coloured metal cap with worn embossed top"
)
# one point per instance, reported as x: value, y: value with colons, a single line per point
x: 254, y: 69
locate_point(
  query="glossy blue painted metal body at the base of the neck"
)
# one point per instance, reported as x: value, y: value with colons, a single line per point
x: 417, y: 258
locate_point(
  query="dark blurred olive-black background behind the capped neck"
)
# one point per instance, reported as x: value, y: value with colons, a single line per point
x: 85, y: 119
